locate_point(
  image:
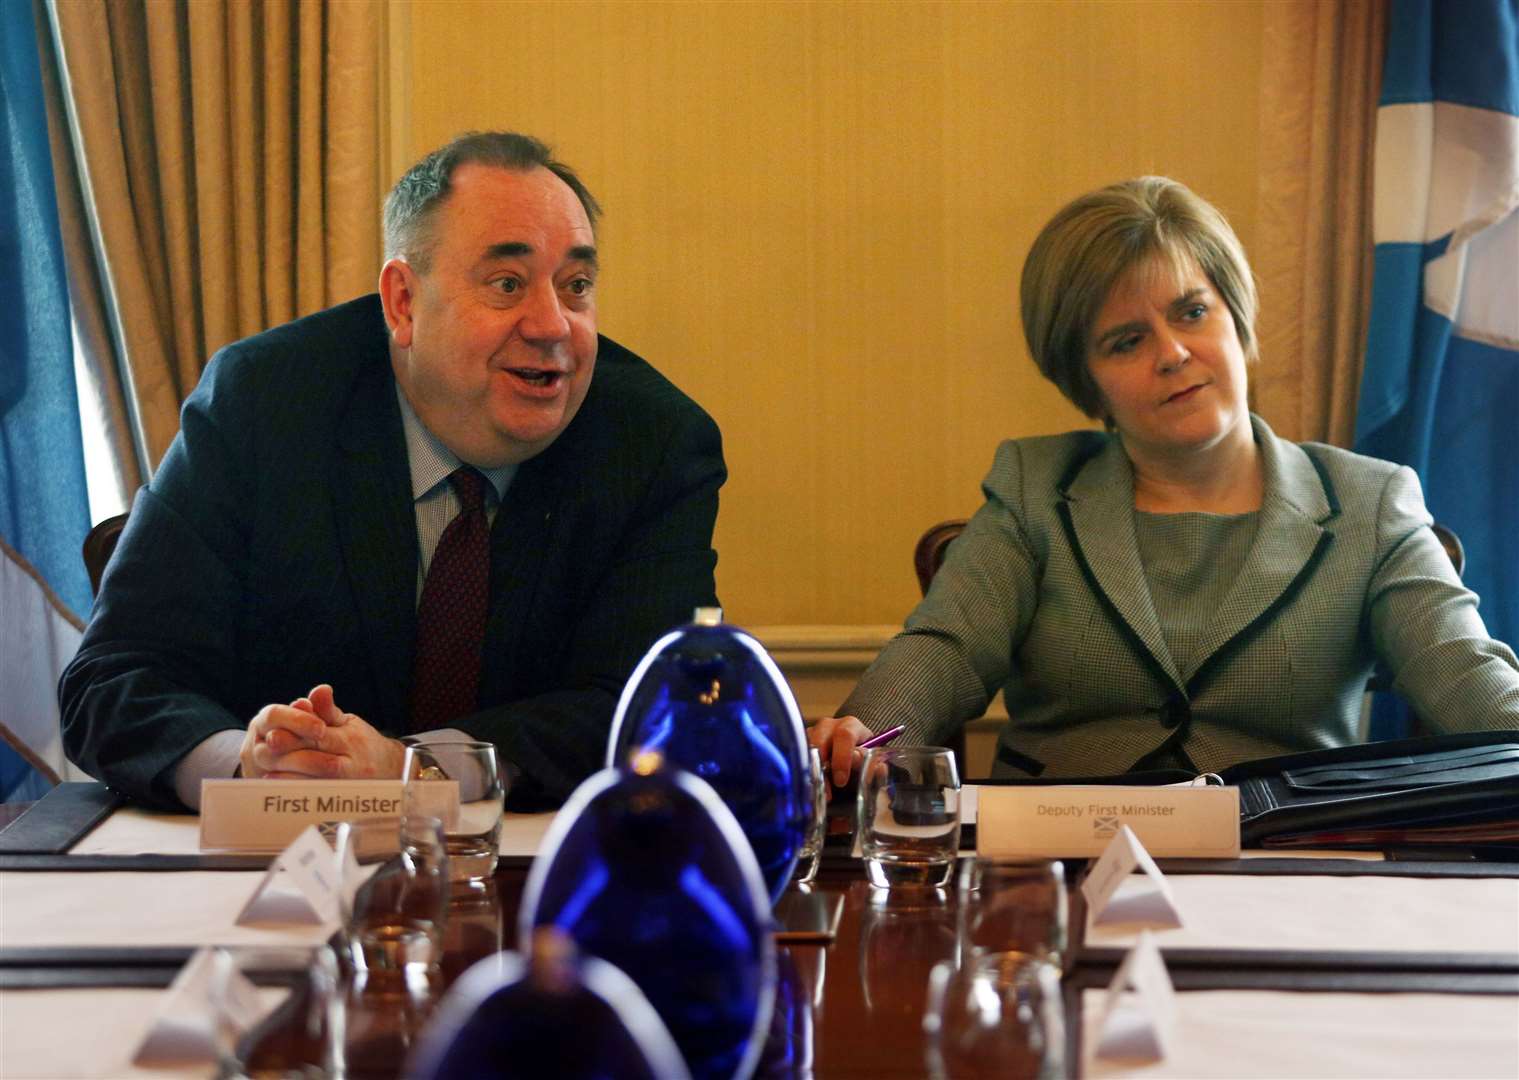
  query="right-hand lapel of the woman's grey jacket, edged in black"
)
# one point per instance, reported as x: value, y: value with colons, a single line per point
x: 1290, y: 538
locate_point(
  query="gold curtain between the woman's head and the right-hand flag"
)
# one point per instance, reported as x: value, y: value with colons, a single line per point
x: 1322, y: 65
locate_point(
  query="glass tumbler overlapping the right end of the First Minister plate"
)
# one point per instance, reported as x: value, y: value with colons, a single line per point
x: 475, y: 835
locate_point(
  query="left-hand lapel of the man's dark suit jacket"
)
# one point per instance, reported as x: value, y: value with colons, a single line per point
x: 377, y: 535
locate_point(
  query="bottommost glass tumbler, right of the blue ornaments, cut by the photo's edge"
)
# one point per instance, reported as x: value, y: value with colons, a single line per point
x: 997, y: 1014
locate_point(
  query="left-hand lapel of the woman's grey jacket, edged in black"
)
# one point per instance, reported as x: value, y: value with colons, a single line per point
x: 1101, y: 523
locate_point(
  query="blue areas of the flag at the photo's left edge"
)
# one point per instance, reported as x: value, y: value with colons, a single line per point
x: 45, y: 510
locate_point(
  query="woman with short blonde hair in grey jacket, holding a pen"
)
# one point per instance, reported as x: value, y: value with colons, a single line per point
x: 1186, y: 589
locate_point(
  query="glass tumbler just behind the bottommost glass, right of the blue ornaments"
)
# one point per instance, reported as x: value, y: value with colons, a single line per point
x: 1011, y: 906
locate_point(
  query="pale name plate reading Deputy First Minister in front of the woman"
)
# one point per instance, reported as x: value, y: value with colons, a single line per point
x: 1069, y: 821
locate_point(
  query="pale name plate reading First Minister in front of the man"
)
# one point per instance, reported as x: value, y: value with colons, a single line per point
x: 248, y: 815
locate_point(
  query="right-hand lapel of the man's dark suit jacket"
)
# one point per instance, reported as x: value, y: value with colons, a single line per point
x: 519, y: 545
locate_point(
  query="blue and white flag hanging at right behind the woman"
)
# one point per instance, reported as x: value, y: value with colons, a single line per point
x: 1441, y: 390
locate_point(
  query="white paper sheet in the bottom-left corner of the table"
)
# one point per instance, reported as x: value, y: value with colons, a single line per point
x: 40, y: 1034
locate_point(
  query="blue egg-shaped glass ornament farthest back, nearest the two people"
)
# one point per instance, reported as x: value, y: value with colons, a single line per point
x: 712, y: 701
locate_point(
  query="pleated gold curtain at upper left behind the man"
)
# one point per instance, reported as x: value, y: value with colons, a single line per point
x: 226, y: 194
